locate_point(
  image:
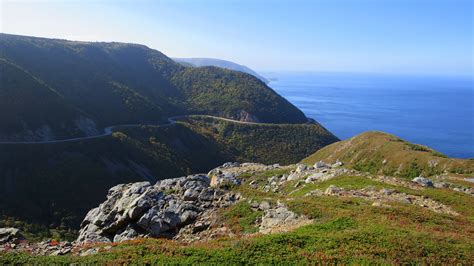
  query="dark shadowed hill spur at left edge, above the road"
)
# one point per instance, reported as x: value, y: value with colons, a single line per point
x: 29, y: 109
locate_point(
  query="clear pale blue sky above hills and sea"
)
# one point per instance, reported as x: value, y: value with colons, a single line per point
x: 385, y: 36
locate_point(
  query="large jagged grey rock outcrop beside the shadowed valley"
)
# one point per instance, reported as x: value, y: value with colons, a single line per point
x: 160, y: 210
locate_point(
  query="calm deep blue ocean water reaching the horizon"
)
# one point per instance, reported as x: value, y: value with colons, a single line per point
x: 434, y: 111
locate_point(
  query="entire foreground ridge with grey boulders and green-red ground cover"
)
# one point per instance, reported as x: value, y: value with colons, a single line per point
x: 269, y: 214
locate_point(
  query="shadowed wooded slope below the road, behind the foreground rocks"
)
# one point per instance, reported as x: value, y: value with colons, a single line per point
x: 56, y: 184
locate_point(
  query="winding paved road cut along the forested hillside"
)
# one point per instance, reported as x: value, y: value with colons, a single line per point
x: 109, y: 130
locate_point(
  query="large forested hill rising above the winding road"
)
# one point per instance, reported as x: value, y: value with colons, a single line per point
x: 120, y: 83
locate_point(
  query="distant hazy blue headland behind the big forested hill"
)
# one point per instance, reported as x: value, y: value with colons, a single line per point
x: 202, y: 62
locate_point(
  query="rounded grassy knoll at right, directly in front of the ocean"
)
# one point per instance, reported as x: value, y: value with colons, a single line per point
x: 367, y: 152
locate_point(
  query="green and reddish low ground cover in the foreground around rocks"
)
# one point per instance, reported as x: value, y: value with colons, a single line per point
x: 345, y: 230
